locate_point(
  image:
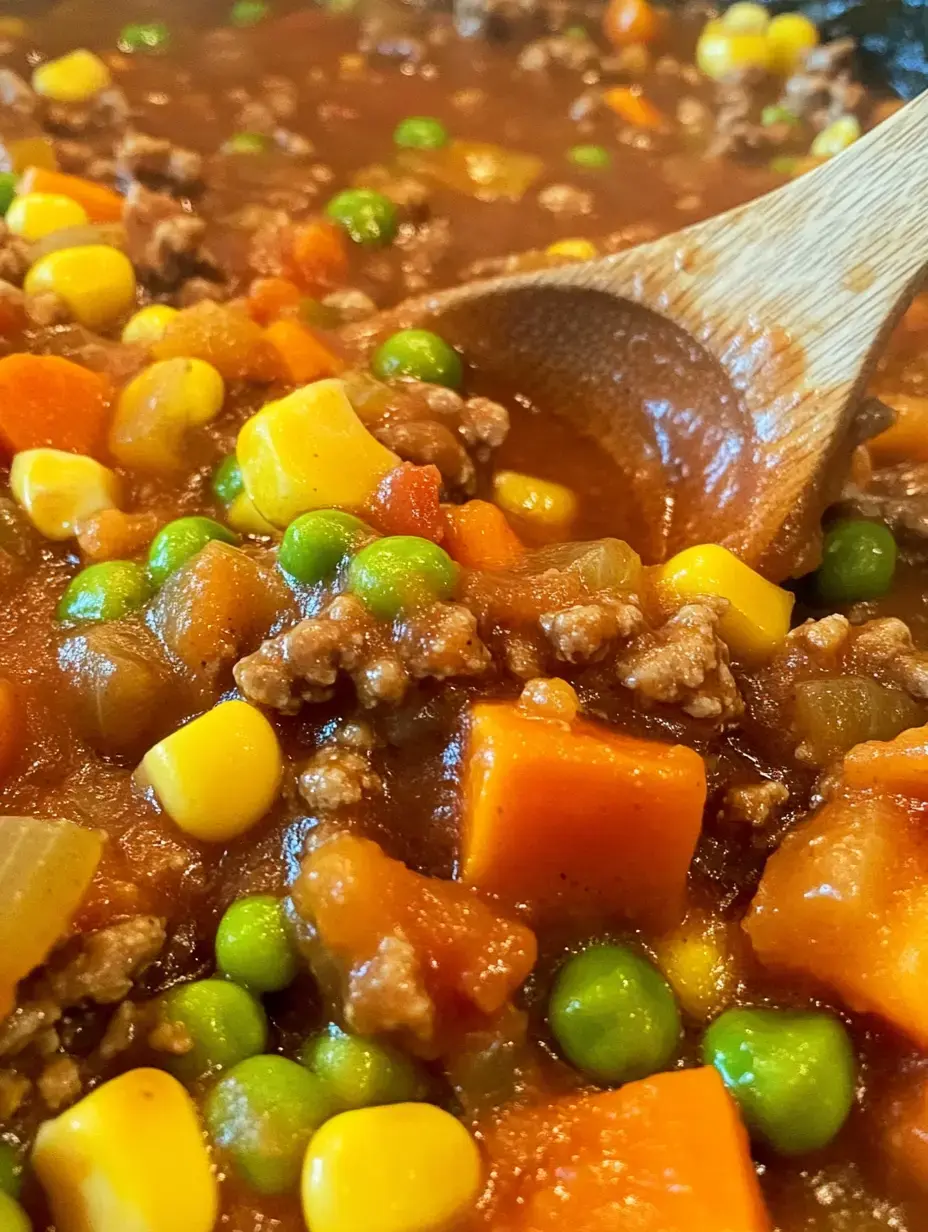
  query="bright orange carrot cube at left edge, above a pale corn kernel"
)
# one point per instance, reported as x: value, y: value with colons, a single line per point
x: 50, y: 401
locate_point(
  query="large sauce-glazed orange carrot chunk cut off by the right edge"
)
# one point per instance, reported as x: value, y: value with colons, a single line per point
x: 845, y: 901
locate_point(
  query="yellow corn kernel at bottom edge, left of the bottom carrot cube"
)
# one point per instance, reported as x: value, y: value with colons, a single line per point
x: 395, y: 1169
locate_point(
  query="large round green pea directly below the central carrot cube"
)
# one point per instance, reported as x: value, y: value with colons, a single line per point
x: 614, y: 1016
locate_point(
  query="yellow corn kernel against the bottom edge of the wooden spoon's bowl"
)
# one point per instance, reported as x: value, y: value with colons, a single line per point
x: 759, y: 614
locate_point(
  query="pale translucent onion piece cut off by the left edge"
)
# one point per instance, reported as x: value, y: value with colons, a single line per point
x: 46, y: 869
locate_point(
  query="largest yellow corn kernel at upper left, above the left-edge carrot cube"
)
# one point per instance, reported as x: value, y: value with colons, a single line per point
x: 97, y: 283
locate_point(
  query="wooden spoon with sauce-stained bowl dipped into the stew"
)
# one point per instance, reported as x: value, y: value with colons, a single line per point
x: 722, y: 367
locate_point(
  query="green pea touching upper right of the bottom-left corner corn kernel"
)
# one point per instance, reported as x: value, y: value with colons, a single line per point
x: 224, y: 1021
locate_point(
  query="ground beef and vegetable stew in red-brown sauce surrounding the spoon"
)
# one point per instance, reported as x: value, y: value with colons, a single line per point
x: 394, y: 838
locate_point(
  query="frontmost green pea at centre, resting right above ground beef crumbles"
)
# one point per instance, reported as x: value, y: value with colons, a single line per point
x: 397, y: 575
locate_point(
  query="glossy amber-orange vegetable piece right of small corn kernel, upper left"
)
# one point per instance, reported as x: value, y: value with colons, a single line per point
x: 225, y: 337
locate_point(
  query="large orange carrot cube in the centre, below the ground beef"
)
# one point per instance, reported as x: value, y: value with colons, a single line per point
x: 579, y: 816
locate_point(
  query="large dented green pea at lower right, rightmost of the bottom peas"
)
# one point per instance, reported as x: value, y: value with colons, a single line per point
x: 793, y: 1074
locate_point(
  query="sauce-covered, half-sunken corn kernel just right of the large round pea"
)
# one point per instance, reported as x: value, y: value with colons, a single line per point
x: 699, y: 963
